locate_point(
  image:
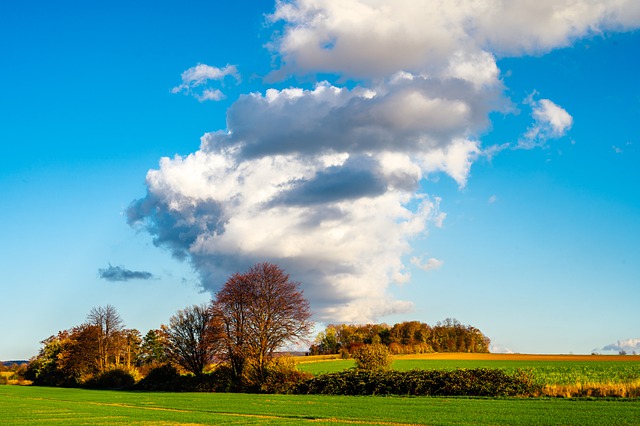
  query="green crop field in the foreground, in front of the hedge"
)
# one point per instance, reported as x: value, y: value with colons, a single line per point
x: 26, y: 405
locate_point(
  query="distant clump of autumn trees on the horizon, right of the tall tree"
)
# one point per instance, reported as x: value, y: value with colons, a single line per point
x: 408, y: 337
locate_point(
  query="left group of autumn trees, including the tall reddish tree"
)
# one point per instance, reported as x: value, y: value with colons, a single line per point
x: 254, y: 314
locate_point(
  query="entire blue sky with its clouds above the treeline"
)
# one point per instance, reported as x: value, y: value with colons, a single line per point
x: 502, y: 160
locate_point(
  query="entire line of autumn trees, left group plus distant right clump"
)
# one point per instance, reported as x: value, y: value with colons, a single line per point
x: 254, y: 315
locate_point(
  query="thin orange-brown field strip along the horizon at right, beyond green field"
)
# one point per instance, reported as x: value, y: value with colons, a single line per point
x: 520, y: 357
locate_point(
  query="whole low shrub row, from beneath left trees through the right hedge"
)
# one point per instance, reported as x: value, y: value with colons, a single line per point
x: 285, y: 380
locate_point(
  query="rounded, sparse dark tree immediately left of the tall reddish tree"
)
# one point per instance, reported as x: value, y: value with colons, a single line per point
x: 193, y: 336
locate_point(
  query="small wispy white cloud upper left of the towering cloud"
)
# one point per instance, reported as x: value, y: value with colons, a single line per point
x: 196, y: 79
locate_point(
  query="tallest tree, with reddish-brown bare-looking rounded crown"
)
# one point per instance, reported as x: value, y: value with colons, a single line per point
x: 261, y: 311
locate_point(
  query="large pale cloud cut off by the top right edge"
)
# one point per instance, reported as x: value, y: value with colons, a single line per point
x: 375, y: 38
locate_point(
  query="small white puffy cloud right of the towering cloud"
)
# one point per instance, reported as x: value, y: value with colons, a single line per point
x: 550, y: 121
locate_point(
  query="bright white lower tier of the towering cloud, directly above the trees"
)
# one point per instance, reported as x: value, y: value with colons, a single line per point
x: 336, y: 222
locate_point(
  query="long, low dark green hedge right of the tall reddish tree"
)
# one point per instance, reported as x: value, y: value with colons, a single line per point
x: 460, y: 382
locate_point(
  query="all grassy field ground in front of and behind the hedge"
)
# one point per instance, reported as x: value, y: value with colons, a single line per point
x: 562, y: 375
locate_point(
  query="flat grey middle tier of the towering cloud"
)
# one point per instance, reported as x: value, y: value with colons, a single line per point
x: 412, y: 116
